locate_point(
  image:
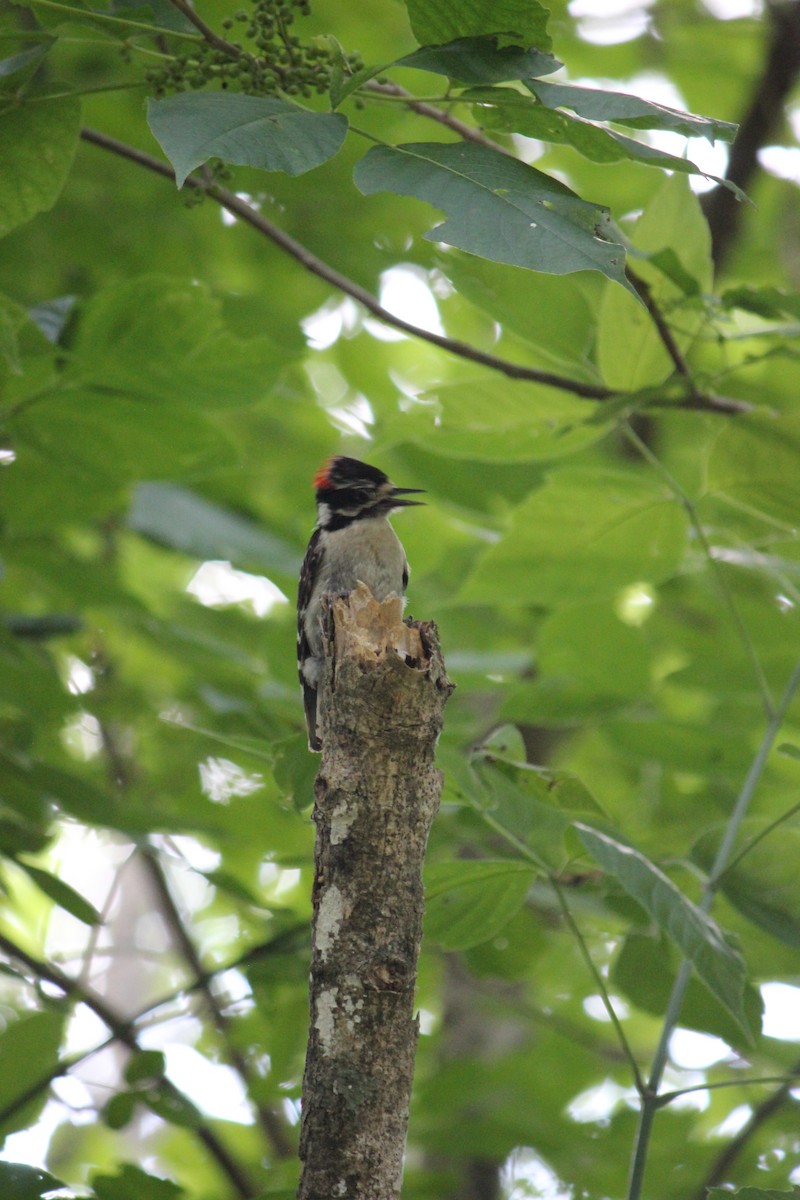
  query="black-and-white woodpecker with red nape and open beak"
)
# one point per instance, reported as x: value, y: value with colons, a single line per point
x: 352, y: 542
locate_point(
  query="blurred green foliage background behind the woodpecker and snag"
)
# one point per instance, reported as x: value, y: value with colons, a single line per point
x: 616, y: 584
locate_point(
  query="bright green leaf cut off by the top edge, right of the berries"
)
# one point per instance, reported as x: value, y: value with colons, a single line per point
x: 442, y: 21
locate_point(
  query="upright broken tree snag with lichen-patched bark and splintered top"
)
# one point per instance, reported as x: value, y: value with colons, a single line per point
x: 381, y: 707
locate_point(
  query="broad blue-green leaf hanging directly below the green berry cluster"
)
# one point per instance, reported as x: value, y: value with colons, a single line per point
x: 250, y: 131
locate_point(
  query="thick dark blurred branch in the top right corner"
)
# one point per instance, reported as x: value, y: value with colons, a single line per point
x: 765, y: 113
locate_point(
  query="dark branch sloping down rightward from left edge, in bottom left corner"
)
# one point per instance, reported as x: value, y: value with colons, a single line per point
x: 124, y: 1034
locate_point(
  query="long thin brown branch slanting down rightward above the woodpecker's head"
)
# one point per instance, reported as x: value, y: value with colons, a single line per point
x: 240, y: 208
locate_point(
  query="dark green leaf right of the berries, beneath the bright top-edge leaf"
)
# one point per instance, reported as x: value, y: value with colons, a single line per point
x: 480, y: 61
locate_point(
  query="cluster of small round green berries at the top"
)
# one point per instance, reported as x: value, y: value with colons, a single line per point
x: 273, y: 61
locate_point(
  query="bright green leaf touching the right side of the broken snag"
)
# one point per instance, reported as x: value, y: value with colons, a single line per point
x: 468, y: 903
